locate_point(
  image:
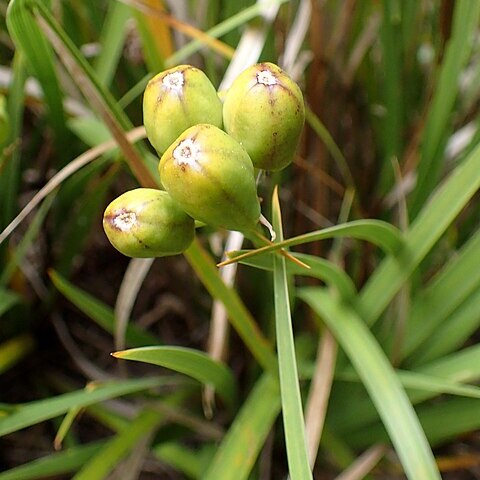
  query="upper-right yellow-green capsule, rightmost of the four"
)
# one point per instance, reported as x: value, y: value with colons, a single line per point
x: 264, y: 111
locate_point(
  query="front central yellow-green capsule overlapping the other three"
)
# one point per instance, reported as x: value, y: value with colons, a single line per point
x: 211, y: 176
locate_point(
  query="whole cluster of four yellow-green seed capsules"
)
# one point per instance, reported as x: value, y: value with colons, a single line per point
x: 209, y: 152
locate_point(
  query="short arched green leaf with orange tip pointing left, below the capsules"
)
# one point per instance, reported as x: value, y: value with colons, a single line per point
x: 193, y: 363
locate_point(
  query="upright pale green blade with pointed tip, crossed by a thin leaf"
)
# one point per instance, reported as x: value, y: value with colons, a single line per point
x: 293, y: 420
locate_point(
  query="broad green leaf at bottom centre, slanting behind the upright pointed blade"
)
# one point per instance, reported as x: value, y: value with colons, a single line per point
x: 239, y: 449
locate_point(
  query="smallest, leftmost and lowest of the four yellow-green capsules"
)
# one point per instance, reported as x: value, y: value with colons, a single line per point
x: 147, y: 223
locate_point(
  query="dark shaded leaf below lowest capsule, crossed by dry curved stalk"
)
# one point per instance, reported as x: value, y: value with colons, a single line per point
x: 99, y: 312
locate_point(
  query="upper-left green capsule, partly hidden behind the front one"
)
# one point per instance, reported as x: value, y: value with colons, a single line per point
x: 175, y: 100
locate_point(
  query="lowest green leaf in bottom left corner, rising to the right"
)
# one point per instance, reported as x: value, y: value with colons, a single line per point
x: 61, y: 463
